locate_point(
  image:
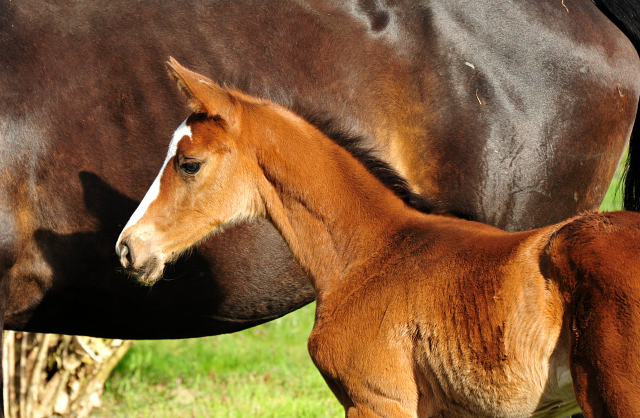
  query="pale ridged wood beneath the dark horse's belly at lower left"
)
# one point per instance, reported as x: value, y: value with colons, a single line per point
x: 47, y: 374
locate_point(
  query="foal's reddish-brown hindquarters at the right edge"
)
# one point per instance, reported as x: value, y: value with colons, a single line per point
x: 596, y: 262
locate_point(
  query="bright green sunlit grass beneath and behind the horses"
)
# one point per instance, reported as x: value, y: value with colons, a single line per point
x: 261, y: 372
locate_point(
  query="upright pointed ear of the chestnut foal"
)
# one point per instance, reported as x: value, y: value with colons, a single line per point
x: 203, y: 95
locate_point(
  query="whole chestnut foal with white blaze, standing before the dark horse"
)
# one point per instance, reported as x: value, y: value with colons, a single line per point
x: 417, y: 314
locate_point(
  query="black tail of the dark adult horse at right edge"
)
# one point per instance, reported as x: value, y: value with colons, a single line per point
x: 625, y: 14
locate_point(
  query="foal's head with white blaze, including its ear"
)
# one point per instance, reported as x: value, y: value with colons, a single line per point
x: 207, y: 179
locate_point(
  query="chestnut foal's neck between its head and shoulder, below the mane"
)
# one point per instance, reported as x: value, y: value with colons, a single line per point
x: 330, y: 210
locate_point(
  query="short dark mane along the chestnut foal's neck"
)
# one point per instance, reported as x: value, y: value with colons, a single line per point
x: 379, y: 168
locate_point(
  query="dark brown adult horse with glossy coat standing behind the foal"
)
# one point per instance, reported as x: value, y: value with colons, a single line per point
x: 510, y: 113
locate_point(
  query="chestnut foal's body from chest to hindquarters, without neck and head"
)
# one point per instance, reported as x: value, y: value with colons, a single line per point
x: 460, y: 321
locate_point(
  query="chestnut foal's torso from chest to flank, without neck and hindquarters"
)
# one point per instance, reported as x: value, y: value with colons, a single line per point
x: 459, y: 341
